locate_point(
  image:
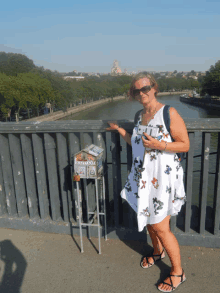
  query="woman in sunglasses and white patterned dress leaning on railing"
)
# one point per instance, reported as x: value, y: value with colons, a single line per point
x: 154, y: 187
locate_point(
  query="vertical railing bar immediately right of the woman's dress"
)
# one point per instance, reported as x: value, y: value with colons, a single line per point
x: 189, y: 181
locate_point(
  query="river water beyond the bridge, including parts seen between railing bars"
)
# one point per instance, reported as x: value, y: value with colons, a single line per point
x: 124, y: 109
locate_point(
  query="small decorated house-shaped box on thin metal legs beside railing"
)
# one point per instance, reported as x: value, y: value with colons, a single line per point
x: 88, y: 164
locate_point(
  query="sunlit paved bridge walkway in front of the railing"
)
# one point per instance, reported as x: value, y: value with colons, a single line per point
x: 33, y: 262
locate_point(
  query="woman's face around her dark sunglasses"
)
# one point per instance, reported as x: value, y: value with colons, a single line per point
x: 144, y: 98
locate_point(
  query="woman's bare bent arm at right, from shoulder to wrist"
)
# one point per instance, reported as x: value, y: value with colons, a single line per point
x: 179, y: 133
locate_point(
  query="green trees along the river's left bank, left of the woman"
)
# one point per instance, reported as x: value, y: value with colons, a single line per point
x: 26, y: 86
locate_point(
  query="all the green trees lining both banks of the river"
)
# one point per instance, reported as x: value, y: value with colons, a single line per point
x: 23, y: 85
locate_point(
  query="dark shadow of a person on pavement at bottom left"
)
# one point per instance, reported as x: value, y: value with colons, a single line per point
x: 12, y: 277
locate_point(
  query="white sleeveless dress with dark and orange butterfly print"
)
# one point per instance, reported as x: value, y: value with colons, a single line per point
x: 154, y: 187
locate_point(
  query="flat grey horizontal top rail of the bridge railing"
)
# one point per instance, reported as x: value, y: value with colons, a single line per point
x: 199, y: 124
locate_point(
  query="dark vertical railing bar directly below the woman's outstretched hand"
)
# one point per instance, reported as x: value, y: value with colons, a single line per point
x: 116, y: 174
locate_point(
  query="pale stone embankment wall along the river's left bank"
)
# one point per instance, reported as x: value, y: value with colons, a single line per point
x: 60, y: 114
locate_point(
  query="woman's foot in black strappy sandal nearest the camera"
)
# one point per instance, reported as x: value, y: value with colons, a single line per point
x: 173, y: 280
